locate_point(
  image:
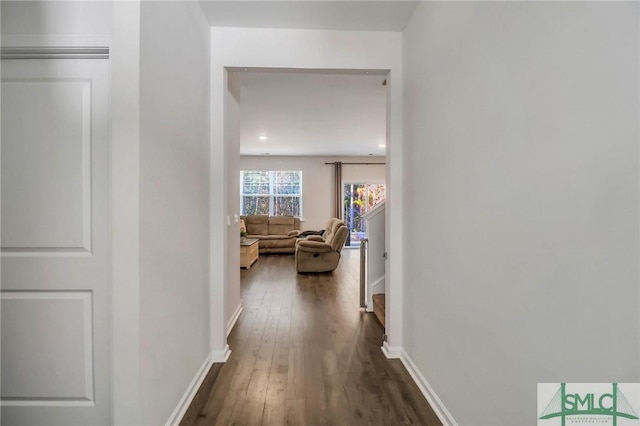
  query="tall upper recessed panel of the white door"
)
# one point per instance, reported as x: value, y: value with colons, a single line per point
x: 46, y: 206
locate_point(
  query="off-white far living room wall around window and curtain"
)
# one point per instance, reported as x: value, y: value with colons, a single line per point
x: 318, y: 180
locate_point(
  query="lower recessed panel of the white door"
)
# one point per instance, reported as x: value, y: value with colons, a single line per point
x: 36, y: 373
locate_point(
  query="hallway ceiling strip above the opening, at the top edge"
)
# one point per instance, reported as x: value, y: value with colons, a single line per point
x: 309, y: 14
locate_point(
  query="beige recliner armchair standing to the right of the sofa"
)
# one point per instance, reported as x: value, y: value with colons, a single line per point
x: 322, y: 254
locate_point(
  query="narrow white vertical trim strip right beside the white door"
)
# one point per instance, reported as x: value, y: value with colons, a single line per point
x: 125, y: 208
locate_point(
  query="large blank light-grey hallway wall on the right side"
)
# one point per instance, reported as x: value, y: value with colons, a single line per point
x: 521, y: 129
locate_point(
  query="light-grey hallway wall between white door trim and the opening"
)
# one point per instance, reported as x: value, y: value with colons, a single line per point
x: 174, y: 203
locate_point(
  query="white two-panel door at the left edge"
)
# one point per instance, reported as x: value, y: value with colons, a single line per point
x: 55, y: 310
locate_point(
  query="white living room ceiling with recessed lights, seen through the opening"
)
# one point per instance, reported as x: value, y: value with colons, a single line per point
x: 312, y: 114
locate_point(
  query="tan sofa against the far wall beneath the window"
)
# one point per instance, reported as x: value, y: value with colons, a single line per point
x: 277, y: 234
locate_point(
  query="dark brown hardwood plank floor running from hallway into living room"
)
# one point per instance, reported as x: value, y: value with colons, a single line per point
x: 304, y: 354
